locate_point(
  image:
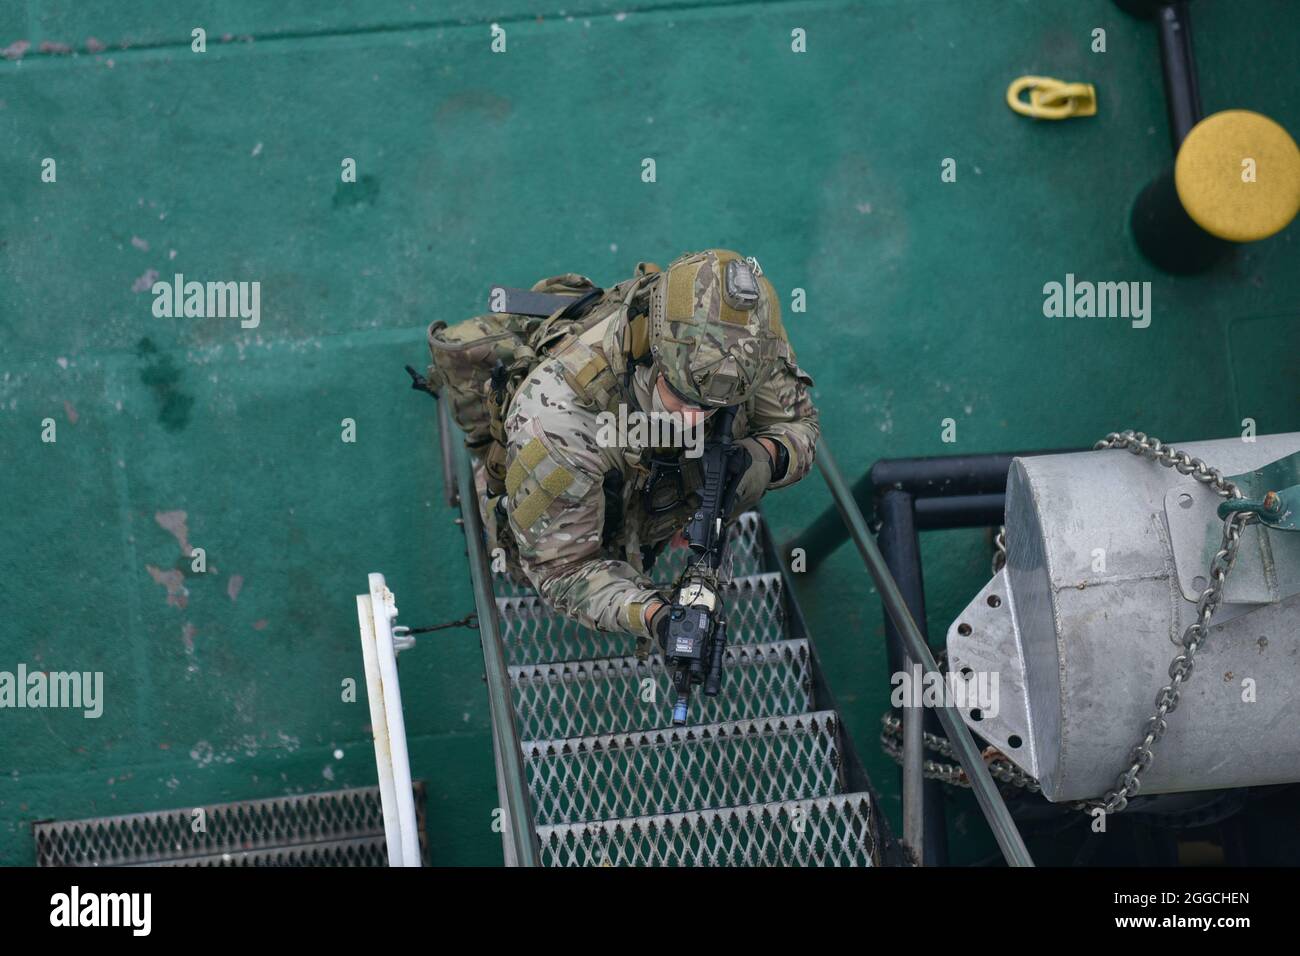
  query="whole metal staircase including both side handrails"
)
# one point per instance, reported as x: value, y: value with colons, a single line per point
x: 591, y: 772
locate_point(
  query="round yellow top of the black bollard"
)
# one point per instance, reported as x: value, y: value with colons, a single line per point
x: 1238, y: 176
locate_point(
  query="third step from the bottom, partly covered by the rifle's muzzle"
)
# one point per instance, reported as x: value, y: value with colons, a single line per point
x: 621, y: 695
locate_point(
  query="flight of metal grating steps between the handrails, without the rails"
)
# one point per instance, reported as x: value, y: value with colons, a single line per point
x: 765, y: 776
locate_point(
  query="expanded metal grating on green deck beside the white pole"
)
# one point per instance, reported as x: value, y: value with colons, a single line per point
x: 336, y: 829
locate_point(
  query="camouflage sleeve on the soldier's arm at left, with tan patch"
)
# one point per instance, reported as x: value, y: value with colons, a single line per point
x: 557, y: 512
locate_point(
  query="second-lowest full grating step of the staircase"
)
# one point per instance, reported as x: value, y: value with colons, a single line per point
x: 679, y: 769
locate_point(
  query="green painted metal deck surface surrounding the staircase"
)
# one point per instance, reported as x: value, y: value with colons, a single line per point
x: 925, y: 304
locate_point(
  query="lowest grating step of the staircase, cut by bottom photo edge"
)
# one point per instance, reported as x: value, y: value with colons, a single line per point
x: 826, y: 832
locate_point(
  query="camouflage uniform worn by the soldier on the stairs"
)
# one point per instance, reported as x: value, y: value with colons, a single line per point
x: 566, y: 488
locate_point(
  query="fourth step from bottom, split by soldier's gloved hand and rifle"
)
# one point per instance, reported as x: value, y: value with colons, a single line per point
x: 534, y: 634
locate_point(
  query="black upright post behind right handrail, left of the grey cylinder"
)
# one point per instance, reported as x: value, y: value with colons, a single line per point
x: 900, y: 546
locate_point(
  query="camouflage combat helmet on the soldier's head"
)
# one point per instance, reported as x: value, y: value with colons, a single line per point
x: 716, y: 327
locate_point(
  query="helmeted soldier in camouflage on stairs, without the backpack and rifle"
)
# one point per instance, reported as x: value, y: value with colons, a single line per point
x: 588, y: 516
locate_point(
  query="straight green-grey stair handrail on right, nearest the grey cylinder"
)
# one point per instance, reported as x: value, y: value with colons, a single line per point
x: 959, y: 734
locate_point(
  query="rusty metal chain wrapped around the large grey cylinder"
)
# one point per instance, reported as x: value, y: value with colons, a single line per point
x: 1180, y: 671
